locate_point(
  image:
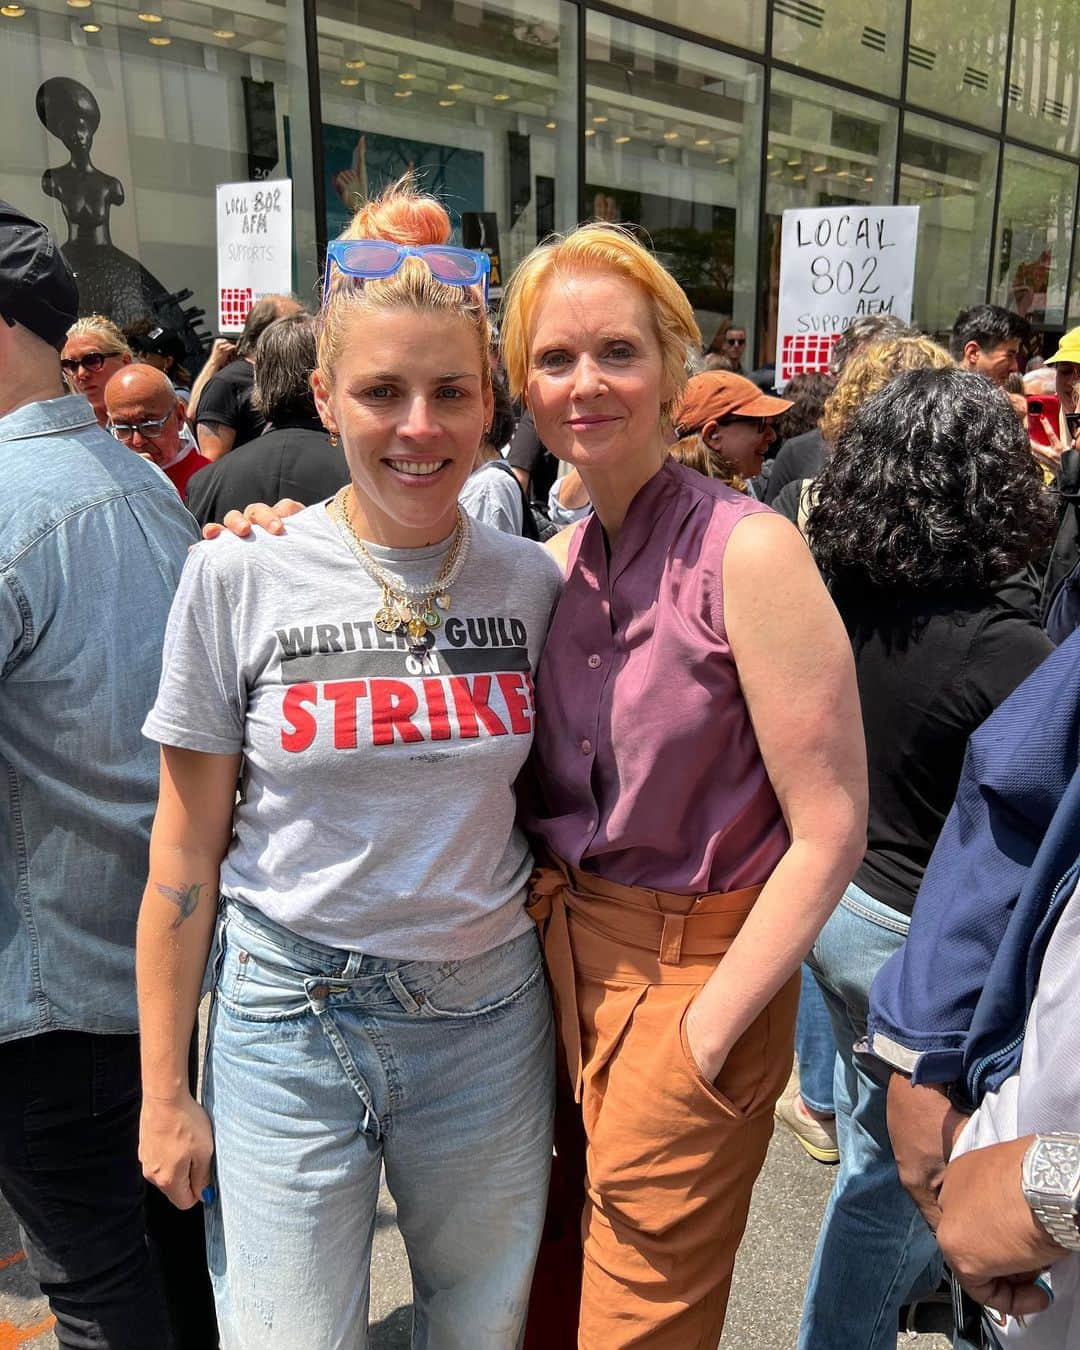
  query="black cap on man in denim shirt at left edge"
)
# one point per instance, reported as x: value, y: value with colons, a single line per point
x: 37, y: 287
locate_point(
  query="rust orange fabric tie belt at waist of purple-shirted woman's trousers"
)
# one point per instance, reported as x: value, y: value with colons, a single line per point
x: 662, y: 925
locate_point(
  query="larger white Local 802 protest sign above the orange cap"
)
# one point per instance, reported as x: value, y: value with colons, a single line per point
x: 836, y: 265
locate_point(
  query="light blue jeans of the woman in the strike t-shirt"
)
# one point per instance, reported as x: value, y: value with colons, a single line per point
x: 322, y: 1067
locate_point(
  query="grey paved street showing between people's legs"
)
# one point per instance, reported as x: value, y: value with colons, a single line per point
x: 766, y: 1299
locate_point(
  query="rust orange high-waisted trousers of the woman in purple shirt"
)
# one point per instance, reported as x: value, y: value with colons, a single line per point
x: 665, y: 1162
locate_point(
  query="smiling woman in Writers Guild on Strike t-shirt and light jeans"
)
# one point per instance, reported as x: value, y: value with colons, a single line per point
x: 380, y: 998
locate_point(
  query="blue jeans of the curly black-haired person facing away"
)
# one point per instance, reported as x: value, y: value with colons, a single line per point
x: 875, y: 1252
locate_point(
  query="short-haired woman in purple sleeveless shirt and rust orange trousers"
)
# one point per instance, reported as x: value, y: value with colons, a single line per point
x: 700, y: 797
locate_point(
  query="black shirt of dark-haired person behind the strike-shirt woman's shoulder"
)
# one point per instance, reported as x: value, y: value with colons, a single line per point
x: 294, y: 461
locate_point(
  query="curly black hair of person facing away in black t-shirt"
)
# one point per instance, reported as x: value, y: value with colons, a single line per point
x: 931, y: 487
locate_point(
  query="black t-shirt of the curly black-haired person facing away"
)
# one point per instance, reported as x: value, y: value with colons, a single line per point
x: 929, y: 673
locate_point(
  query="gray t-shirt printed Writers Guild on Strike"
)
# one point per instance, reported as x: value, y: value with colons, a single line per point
x: 377, y: 807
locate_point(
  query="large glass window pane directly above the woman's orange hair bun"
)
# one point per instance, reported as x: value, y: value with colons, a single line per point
x: 479, y: 101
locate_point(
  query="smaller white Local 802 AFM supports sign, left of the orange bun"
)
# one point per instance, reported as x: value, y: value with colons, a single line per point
x: 254, y: 246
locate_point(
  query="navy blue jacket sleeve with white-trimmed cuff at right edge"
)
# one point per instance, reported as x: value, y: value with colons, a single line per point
x: 951, y: 1006
